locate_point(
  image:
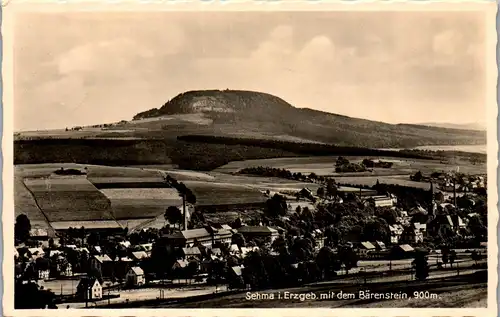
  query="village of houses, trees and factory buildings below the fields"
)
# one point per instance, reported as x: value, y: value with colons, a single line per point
x: 306, y: 237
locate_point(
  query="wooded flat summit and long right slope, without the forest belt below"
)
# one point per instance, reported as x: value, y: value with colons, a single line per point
x: 243, y: 113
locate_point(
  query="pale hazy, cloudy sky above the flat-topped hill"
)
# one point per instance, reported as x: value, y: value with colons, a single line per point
x: 398, y: 67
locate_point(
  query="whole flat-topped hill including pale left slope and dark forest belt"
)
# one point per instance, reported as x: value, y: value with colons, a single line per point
x: 202, y: 130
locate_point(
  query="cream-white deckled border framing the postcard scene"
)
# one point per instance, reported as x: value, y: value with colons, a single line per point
x: 12, y: 7
